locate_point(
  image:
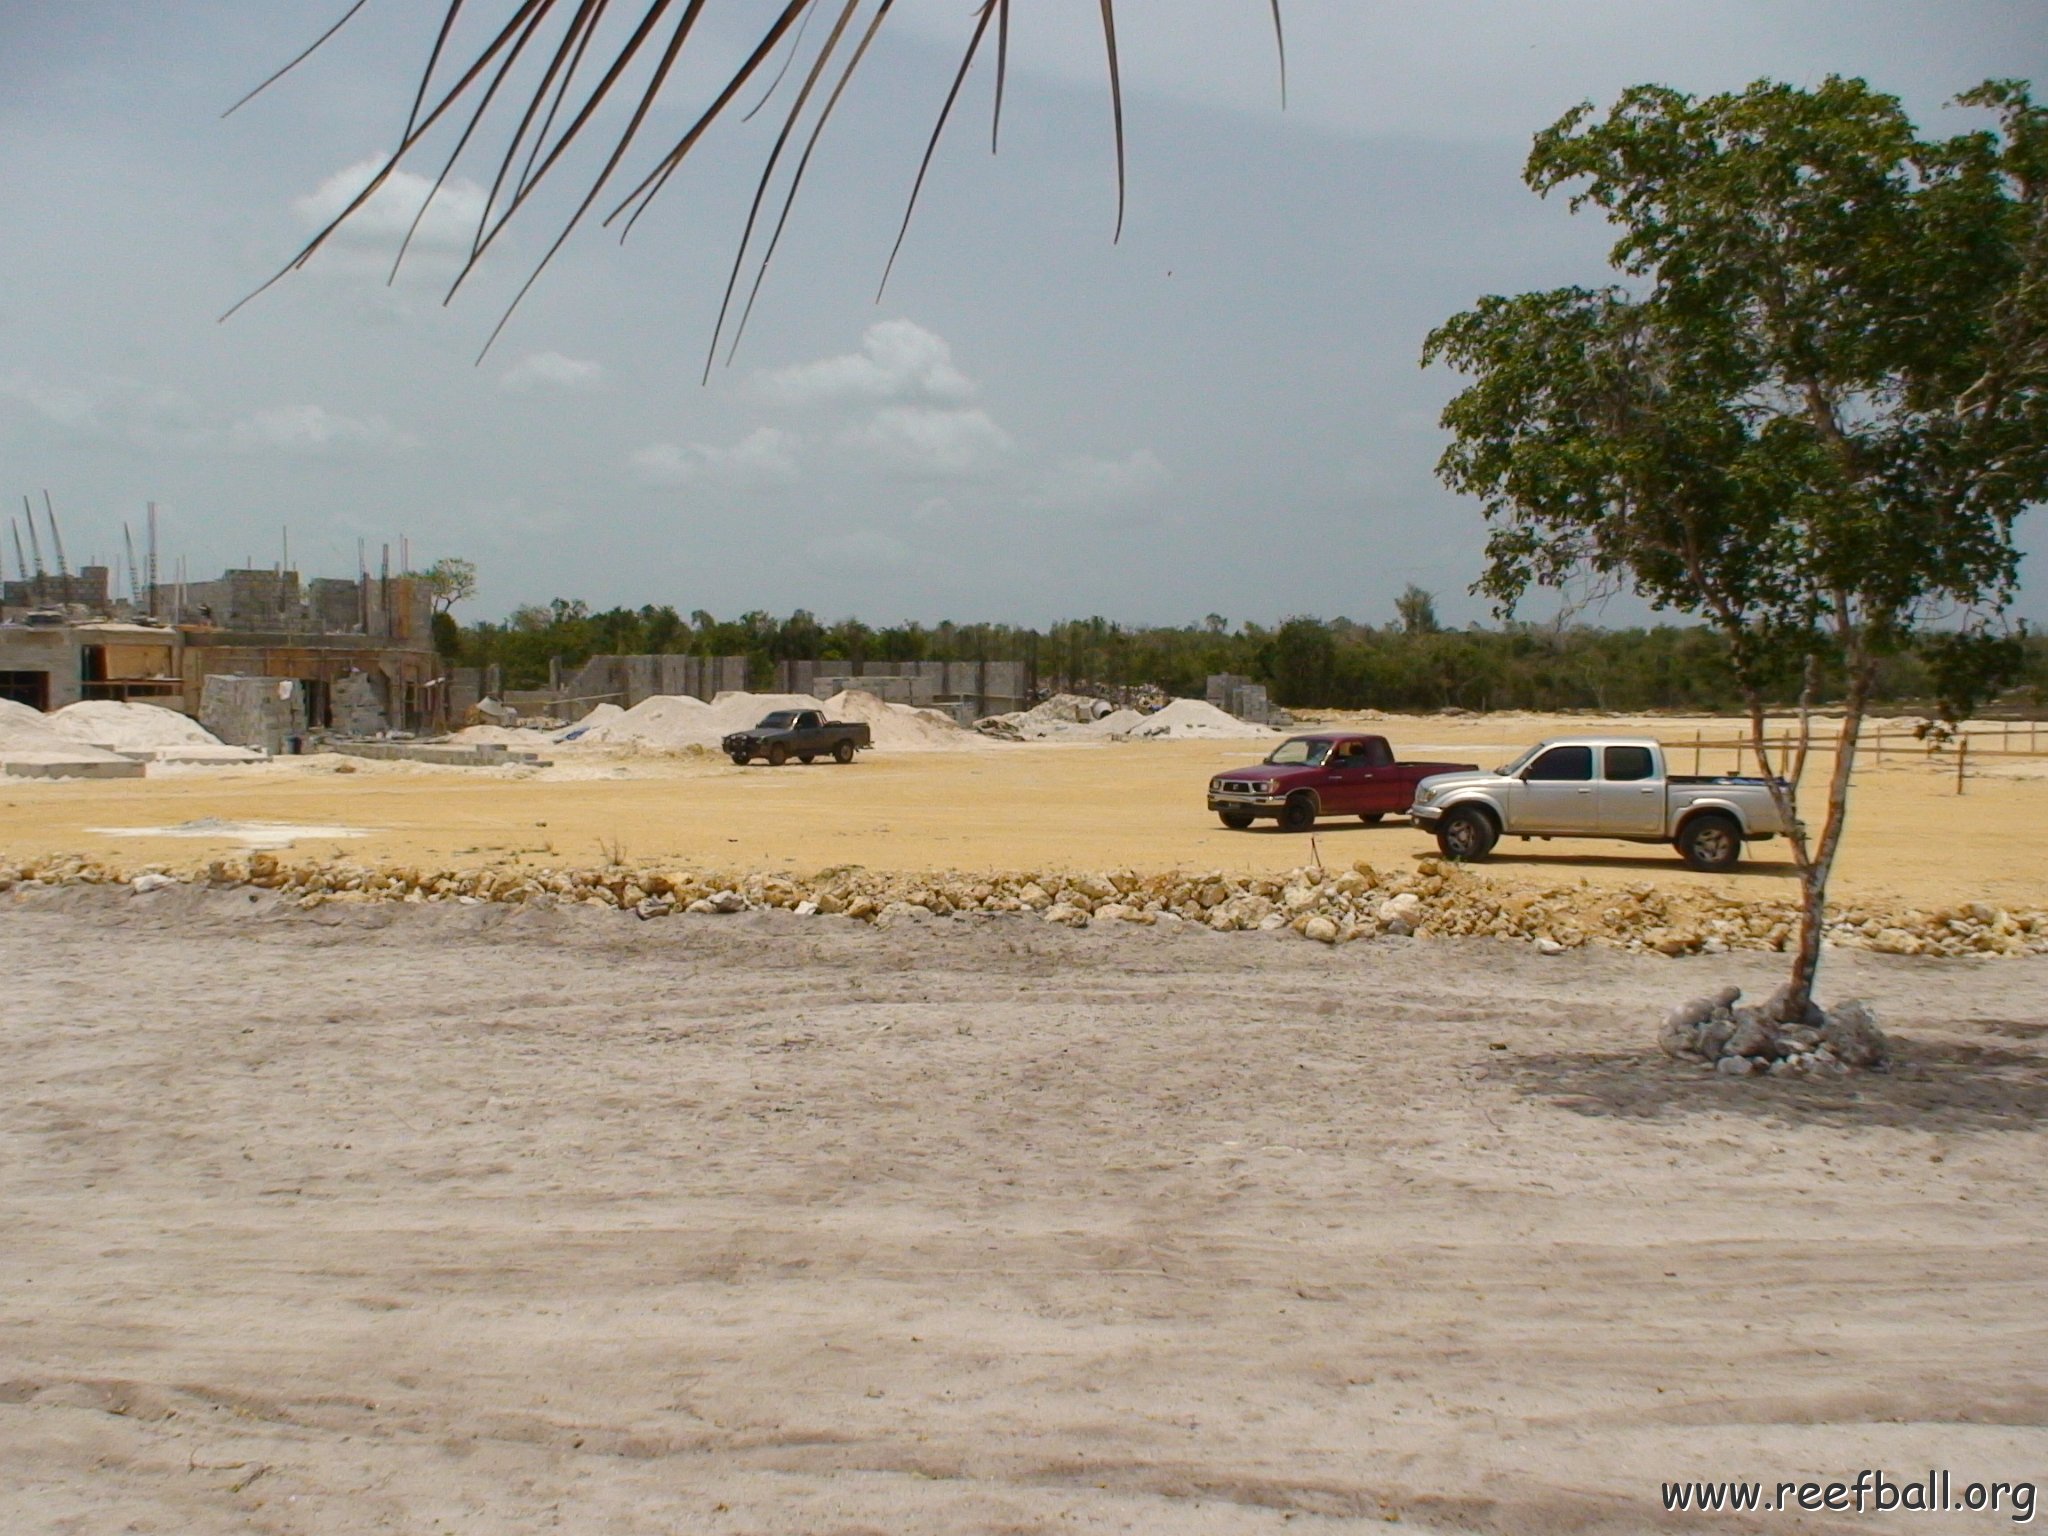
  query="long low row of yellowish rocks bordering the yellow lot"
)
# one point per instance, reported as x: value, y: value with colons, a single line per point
x: 1332, y: 906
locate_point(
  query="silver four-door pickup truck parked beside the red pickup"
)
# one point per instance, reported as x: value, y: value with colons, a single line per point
x: 1598, y: 787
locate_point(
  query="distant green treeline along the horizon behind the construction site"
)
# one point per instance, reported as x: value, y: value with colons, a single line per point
x: 1306, y: 663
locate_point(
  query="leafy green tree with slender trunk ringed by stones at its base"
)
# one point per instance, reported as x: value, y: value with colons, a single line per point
x: 1811, y: 415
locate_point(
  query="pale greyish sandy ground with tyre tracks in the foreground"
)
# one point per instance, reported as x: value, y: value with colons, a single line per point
x: 404, y: 1220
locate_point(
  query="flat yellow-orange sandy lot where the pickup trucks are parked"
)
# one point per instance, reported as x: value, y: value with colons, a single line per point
x: 1914, y: 843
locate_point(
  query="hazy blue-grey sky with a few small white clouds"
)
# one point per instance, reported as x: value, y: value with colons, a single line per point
x: 1222, y: 413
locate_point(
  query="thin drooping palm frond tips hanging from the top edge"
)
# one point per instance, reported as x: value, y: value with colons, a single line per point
x: 538, y: 79
